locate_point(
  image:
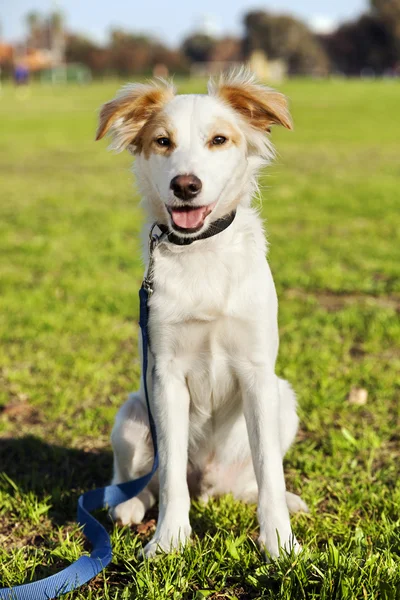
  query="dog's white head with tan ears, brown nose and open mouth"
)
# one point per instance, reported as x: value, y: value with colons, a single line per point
x: 196, y: 155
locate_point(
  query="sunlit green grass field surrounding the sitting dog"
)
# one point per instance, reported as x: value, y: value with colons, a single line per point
x: 70, y: 270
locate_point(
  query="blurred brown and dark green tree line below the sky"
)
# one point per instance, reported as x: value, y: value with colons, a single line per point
x: 368, y: 44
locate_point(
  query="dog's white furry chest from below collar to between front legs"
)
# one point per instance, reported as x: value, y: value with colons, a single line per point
x: 208, y: 315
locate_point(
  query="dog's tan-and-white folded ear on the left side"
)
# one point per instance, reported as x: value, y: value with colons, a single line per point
x: 124, y: 117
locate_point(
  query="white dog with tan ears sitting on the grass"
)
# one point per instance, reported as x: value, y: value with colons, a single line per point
x: 224, y: 420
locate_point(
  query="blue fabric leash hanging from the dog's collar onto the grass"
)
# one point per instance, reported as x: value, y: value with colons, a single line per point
x: 87, y: 567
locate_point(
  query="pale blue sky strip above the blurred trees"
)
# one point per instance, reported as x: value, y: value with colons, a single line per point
x: 169, y: 20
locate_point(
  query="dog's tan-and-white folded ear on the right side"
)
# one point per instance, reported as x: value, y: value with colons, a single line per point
x: 259, y: 105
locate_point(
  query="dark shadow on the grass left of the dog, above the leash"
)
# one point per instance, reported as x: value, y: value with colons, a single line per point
x: 55, y: 471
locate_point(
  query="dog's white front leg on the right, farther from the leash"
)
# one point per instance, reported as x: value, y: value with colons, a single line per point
x: 261, y: 408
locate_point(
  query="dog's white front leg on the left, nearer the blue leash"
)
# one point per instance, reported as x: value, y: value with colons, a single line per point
x: 171, y: 415
